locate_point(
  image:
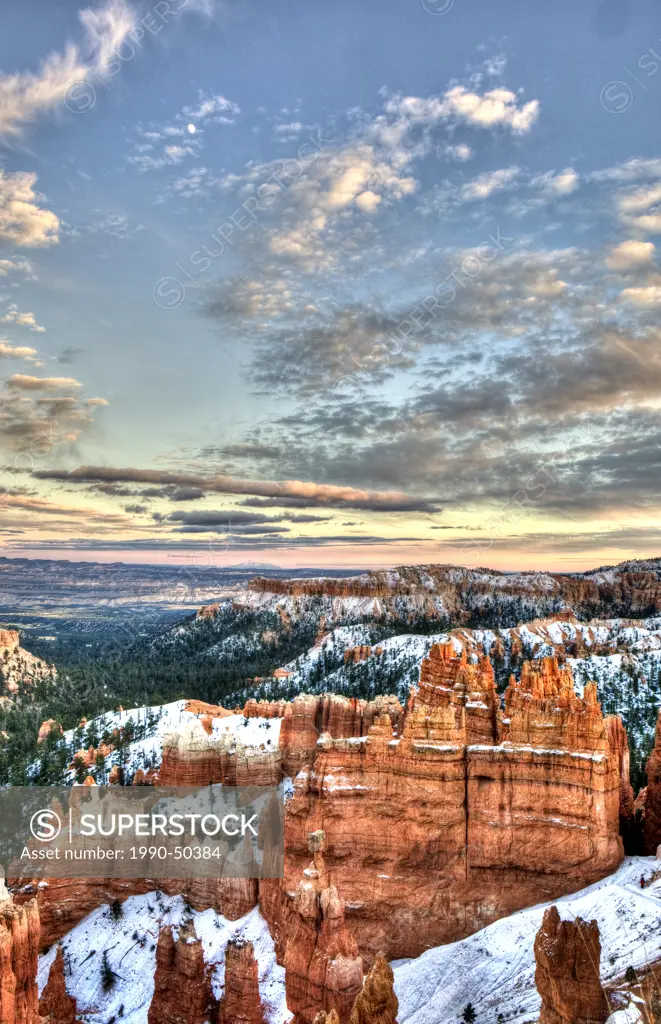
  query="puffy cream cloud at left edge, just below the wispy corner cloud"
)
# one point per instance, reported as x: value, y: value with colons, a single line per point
x: 23, y: 222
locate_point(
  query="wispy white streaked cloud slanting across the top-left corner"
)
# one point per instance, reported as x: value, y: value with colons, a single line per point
x: 26, y: 96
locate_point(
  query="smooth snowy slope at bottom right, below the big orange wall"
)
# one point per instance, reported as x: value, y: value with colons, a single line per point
x: 495, y: 969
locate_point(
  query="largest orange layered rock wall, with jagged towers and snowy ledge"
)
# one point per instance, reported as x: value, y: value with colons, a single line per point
x: 468, y: 816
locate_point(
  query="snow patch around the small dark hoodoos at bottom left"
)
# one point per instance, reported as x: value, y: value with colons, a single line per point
x: 130, y: 945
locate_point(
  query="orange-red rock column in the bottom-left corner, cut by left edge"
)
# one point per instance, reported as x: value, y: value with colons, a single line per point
x: 19, y: 958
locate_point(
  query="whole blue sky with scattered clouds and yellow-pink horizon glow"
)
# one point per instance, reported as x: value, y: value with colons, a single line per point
x: 331, y: 285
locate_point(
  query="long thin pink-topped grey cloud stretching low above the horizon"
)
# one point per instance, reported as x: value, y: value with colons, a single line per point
x: 313, y: 494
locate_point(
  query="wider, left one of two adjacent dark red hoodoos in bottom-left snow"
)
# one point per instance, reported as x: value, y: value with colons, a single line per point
x: 183, y: 992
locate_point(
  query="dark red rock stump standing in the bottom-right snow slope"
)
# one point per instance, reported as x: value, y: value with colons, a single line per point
x: 567, y: 975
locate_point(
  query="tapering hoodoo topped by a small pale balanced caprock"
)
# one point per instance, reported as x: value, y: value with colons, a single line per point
x: 321, y: 957
